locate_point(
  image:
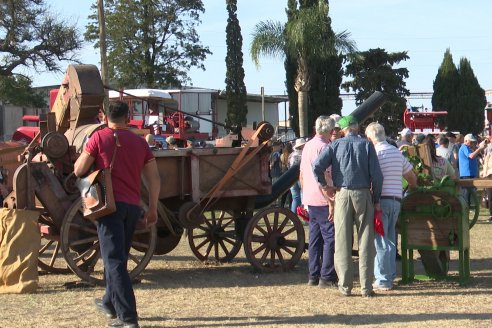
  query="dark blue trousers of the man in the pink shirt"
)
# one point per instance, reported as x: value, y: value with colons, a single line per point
x: 321, y: 247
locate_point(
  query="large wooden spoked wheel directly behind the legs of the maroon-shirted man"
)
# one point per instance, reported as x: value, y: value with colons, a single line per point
x: 80, y: 247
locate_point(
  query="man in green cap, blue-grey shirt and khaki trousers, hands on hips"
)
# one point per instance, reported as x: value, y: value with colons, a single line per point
x: 358, y: 181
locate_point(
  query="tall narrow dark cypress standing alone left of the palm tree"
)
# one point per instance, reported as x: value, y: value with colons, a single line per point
x: 235, y: 88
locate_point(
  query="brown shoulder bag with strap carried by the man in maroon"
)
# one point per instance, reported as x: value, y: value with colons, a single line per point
x: 96, y: 191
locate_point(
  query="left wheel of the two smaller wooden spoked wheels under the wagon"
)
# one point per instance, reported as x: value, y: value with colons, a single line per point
x: 216, y: 238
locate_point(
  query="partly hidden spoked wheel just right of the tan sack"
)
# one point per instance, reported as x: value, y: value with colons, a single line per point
x: 50, y: 258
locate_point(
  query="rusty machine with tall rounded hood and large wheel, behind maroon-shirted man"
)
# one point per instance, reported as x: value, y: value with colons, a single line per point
x: 45, y: 181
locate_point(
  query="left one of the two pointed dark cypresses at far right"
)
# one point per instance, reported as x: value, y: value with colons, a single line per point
x: 445, y: 93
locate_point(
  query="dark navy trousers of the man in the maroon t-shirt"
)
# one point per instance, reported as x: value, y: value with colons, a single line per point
x: 115, y: 232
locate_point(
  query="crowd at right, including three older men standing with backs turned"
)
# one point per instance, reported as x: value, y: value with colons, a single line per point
x: 346, y: 177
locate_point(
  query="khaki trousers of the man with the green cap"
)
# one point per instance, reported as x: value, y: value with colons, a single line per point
x: 354, y: 207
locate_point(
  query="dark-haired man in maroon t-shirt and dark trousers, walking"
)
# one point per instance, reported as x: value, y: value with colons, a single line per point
x: 115, y: 231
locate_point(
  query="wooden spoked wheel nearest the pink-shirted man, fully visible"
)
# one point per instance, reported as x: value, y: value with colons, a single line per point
x: 274, y: 240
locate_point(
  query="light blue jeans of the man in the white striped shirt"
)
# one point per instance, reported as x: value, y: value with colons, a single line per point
x: 385, y: 260
